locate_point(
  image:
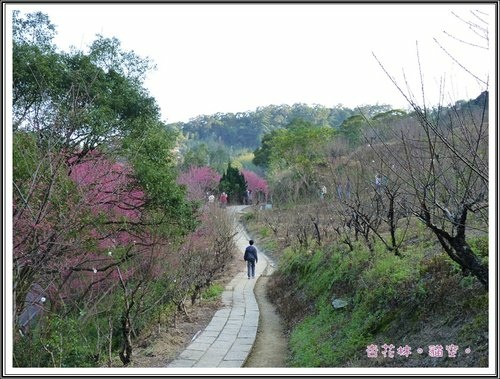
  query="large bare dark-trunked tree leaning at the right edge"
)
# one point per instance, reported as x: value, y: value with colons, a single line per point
x: 445, y: 167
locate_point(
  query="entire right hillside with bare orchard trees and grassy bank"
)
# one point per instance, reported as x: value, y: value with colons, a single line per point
x: 382, y: 246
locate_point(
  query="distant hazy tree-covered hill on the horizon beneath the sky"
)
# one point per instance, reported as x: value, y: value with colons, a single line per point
x: 213, y: 140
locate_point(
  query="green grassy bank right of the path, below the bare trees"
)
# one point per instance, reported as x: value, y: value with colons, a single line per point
x: 418, y: 300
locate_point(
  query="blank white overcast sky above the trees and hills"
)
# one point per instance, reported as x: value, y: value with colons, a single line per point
x: 235, y: 57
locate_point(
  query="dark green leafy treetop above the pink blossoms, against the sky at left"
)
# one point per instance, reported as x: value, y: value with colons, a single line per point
x: 78, y: 100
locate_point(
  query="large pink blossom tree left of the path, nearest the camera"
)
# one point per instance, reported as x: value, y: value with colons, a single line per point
x: 83, y: 234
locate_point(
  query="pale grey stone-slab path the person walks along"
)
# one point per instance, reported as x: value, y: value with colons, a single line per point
x: 228, y: 339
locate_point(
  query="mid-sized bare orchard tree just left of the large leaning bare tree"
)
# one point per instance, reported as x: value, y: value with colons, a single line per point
x: 373, y: 199
